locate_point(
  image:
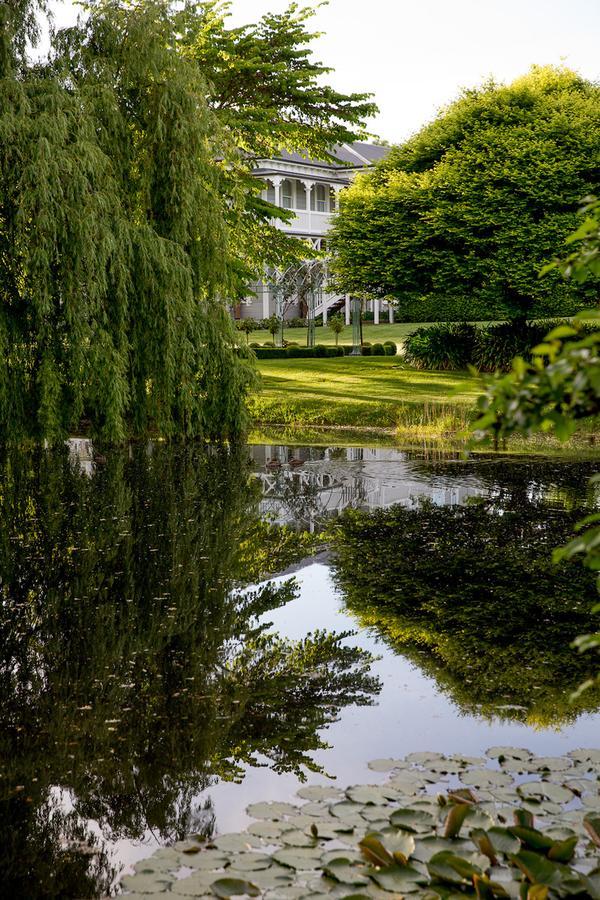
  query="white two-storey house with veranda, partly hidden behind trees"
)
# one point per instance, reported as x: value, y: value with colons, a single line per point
x: 311, y: 189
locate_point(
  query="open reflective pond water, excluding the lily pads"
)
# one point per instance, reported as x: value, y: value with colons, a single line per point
x: 173, y: 649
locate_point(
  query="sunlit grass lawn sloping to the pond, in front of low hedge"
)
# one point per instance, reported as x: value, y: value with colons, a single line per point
x: 362, y: 392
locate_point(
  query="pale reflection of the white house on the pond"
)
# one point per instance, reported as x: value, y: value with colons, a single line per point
x: 302, y: 485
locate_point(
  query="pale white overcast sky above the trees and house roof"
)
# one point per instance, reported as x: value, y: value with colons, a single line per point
x: 416, y: 55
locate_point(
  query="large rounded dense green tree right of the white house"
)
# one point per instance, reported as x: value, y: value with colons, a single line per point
x: 457, y: 222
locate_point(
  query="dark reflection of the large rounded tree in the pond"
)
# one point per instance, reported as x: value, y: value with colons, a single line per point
x: 469, y: 594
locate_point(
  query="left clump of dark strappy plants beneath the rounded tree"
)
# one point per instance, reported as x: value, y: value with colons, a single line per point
x: 441, y: 346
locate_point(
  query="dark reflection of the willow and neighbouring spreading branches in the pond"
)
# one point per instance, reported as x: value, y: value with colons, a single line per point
x: 133, y: 671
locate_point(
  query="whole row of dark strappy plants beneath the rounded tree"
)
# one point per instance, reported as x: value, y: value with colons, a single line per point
x: 456, y: 345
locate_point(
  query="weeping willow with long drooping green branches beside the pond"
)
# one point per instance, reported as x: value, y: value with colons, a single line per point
x: 114, y: 242
